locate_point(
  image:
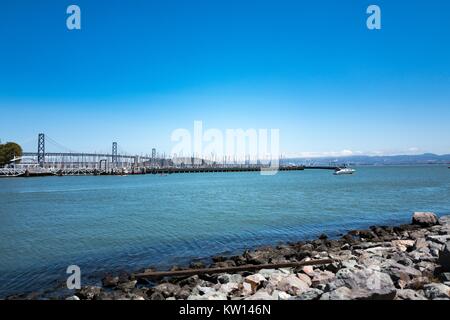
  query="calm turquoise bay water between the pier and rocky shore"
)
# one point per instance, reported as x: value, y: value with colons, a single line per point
x: 112, y: 223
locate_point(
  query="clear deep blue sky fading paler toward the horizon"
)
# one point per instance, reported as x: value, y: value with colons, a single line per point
x: 137, y: 70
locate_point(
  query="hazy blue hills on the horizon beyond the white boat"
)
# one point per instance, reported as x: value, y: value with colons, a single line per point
x: 426, y: 158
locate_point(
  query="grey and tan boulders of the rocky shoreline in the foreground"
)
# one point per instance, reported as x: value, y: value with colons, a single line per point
x: 407, y: 262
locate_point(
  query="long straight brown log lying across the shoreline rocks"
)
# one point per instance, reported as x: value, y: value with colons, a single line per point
x: 191, y: 272
